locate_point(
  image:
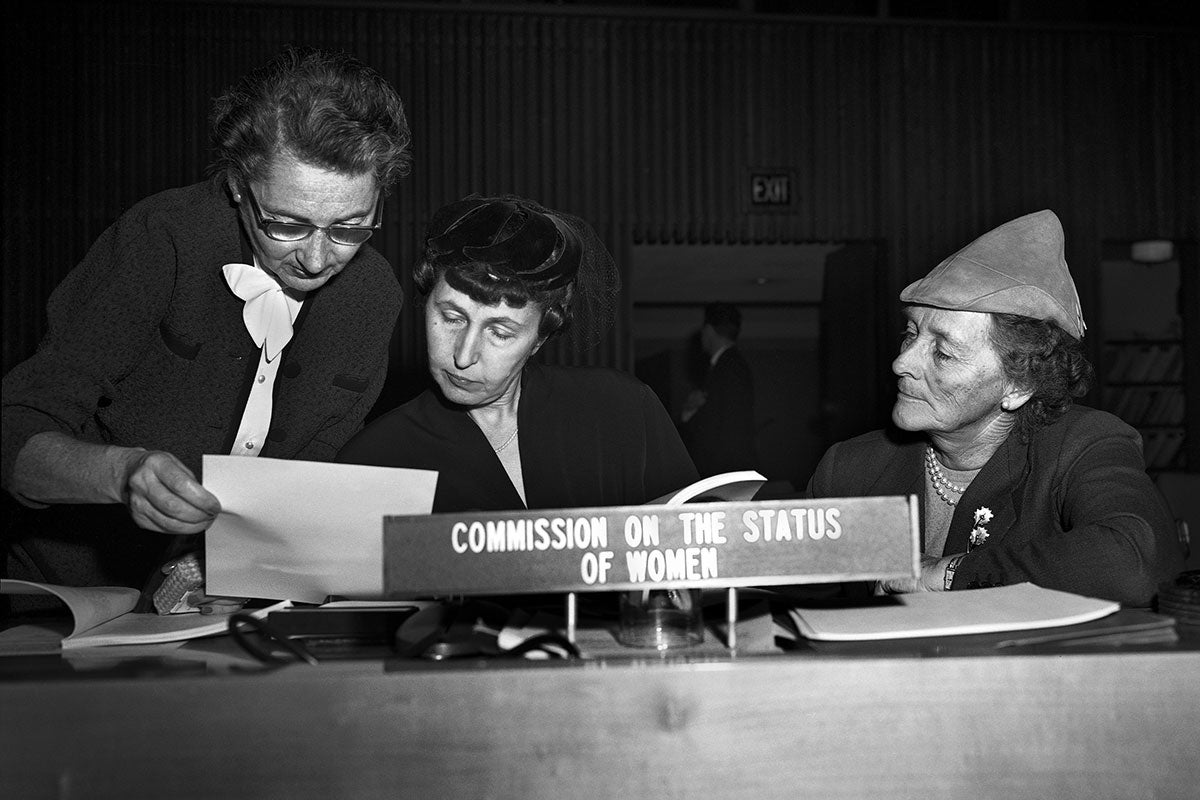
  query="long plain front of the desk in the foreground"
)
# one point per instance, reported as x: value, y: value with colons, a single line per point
x: 1073, y: 725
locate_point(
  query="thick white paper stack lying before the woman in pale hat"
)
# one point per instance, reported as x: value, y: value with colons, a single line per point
x: 1016, y: 607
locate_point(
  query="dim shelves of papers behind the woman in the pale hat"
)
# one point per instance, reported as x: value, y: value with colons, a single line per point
x: 1149, y: 348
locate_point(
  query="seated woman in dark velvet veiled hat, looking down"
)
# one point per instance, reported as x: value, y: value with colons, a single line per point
x: 501, y: 276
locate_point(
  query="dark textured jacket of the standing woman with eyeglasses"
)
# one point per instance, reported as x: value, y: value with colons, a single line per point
x: 147, y: 348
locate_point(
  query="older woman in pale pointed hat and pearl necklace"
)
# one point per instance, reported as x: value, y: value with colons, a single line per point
x: 1016, y: 482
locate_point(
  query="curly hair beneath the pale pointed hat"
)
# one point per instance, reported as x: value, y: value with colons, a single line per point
x: 1041, y: 357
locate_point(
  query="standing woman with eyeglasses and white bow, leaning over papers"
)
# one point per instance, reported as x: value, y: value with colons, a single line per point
x: 243, y: 316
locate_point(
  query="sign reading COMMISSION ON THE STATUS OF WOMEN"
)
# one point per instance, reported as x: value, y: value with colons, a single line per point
x: 703, y: 545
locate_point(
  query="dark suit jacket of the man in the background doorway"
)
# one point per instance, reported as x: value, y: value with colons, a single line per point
x: 721, y: 435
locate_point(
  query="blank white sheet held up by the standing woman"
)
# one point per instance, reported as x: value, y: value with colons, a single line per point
x: 304, y: 531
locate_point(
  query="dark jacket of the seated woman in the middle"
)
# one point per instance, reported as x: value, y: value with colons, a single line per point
x: 589, y: 437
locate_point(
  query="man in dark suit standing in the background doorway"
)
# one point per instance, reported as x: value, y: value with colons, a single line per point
x: 718, y: 419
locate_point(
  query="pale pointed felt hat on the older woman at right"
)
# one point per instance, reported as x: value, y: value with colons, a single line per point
x: 1016, y: 269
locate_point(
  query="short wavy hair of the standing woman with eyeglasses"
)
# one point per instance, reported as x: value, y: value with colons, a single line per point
x: 325, y: 109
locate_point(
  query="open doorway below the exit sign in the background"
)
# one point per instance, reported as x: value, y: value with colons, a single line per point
x: 809, y: 333
